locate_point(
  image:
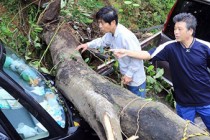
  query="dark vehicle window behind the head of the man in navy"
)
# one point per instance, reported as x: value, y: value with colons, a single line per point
x: 200, y: 10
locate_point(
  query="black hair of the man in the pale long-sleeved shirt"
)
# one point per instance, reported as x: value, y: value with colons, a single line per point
x: 107, y: 14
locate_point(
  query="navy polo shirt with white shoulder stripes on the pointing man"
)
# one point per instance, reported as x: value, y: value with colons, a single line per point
x: 190, y: 76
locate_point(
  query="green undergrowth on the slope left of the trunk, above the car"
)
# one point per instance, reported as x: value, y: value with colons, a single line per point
x: 23, y: 39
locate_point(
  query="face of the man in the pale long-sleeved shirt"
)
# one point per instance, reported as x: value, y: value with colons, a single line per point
x: 106, y: 27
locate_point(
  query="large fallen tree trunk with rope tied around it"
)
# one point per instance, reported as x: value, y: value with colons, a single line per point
x: 108, y: 108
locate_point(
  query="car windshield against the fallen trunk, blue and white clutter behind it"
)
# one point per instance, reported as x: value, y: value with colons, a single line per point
x: 35, y: 85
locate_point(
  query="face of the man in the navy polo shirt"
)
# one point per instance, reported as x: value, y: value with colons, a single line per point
x: 181, y: 32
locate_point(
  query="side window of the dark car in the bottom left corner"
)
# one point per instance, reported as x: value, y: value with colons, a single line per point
x: 26, y: 125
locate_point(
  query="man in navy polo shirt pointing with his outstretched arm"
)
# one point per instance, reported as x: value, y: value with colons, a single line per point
x: 188, y: 59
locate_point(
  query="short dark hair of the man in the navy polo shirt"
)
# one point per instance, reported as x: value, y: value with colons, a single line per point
x: 189, y: 19
